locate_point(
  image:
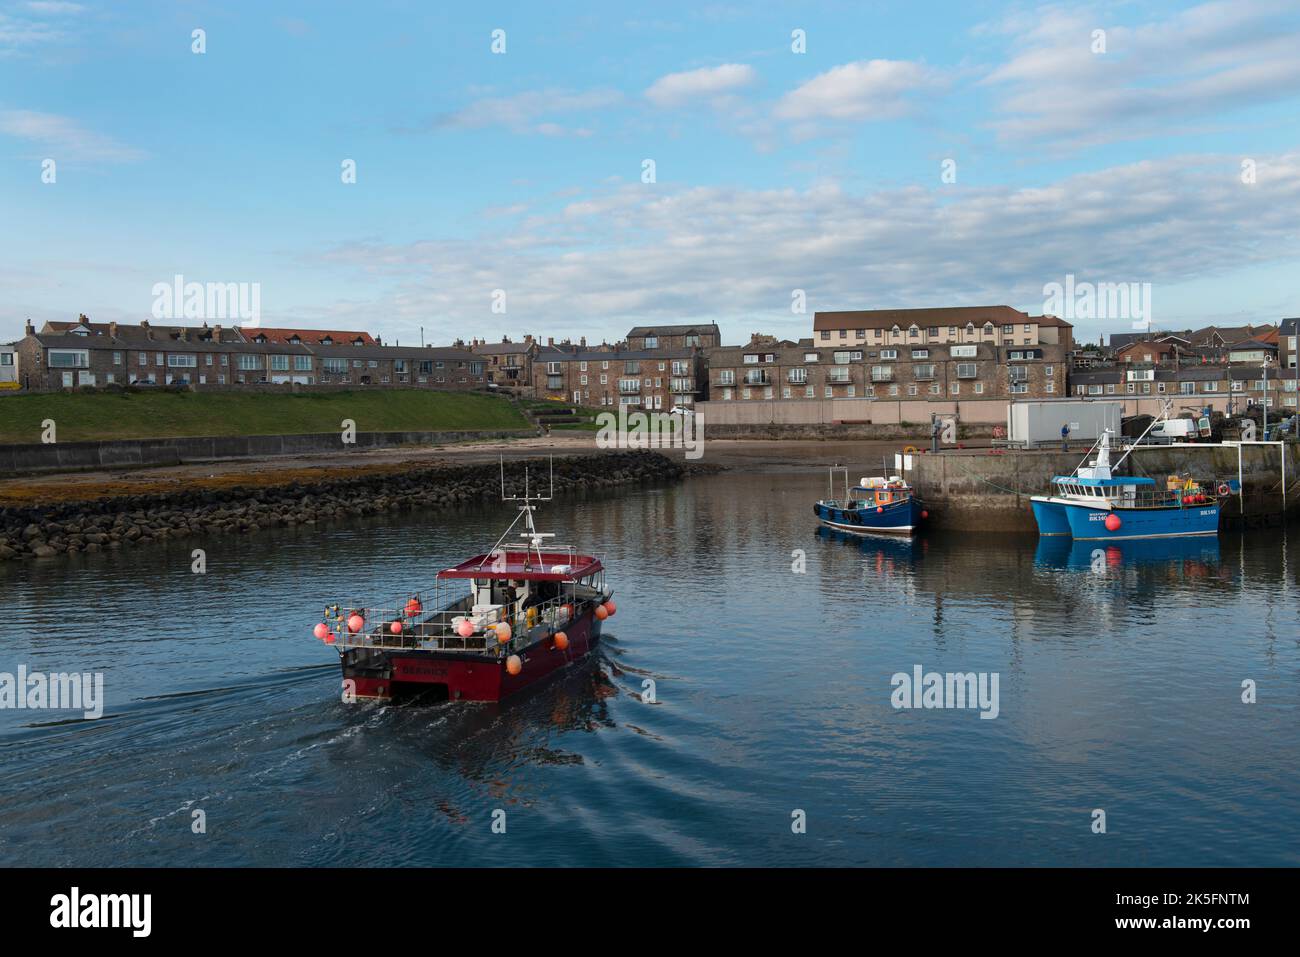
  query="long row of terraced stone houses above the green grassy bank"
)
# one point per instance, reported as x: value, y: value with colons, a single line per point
x: 98, y: 354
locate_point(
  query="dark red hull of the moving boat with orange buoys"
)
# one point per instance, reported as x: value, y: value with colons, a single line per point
x: 383, y: 673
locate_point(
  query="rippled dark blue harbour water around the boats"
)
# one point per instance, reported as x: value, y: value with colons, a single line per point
x: 1120, y: 690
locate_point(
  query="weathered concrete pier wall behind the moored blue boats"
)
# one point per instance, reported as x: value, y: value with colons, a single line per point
x: 990, y: 492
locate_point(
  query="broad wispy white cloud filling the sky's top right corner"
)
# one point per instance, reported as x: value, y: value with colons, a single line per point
x: 1198, y: 63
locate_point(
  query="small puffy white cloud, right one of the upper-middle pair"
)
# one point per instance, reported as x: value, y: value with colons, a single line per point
x: 864, y: 90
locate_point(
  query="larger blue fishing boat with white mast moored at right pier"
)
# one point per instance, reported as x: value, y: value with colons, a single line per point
x: 1095, y: 505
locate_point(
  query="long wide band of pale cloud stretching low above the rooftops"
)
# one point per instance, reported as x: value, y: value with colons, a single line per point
x: 629, y: 254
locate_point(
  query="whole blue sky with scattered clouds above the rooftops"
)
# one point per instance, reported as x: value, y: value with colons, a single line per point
x: 574, y: 170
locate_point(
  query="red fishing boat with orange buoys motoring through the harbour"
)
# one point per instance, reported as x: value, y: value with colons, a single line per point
x: 489, y: 627
